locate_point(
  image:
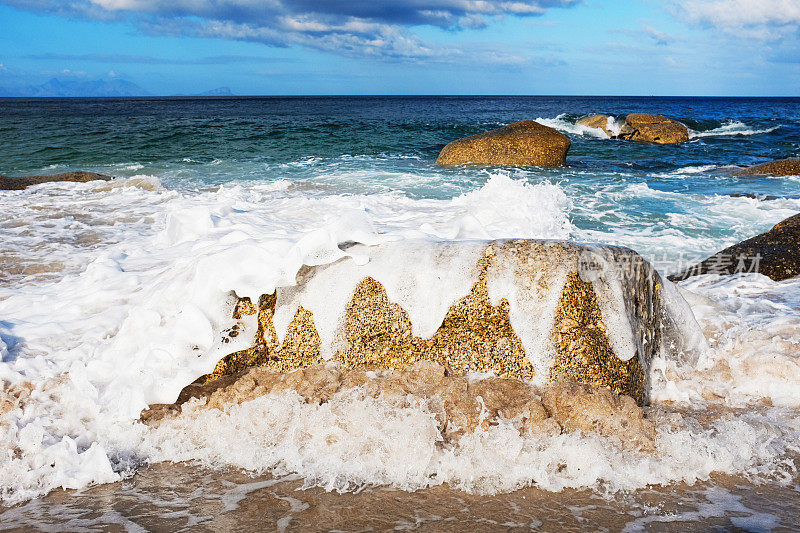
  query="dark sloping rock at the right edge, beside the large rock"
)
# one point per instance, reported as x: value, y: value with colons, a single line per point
x: 776, y: 254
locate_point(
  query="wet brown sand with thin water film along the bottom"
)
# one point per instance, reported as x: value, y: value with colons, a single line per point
x: 178, y: 497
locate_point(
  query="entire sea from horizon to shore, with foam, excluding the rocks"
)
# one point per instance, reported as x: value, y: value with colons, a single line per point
x: 112, y: 296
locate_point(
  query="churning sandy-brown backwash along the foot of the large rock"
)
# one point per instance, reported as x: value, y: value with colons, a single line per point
x: 460, y: 405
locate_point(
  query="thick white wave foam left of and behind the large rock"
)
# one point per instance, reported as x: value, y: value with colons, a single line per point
x: 140, y: 303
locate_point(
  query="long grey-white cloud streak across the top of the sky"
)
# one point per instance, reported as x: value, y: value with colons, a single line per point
x: 359, y: 28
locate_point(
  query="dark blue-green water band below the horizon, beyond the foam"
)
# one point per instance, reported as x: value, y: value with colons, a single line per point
x: 100, y: 133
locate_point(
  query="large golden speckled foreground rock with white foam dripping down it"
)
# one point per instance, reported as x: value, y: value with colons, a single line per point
x: 521, y: 309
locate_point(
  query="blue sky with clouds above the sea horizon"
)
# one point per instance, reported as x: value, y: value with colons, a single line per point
x: 286, y: 47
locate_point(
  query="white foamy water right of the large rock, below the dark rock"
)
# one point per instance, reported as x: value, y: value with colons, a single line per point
x: 753, y: 328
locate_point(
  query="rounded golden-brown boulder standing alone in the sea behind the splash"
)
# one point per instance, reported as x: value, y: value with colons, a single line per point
x: 525, y: 143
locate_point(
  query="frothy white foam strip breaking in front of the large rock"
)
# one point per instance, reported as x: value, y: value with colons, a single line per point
x: 353, y: 440
